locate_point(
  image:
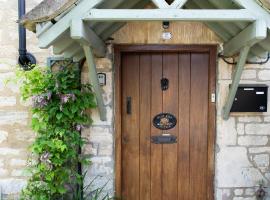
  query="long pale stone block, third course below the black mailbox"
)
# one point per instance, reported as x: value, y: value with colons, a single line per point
x: 252, y: 140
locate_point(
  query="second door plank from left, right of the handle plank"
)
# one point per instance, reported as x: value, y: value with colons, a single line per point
x: 145, y: 125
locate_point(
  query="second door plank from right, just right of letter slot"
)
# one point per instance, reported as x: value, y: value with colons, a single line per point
x: 183, y: 123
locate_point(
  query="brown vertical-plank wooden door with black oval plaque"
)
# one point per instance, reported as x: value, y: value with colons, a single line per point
x: 177, y: 171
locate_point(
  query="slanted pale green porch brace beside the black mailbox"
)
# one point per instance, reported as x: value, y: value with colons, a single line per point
x: 236, y: 79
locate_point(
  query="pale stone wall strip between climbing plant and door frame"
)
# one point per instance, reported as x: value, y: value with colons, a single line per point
x: 100, y: 135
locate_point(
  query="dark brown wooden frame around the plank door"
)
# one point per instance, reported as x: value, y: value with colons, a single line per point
x: 212, y: 51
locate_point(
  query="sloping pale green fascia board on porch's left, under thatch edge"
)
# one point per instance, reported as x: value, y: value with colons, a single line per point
x: 53, y: 33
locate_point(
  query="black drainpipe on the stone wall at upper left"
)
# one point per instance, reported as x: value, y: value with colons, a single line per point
x: 26, y: 60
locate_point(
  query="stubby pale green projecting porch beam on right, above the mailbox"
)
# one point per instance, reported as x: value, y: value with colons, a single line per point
x: 254, y: 33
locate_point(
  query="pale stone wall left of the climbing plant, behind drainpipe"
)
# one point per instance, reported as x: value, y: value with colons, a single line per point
x: 15, y: 134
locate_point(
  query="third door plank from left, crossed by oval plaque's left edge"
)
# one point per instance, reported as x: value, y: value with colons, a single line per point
x: 156, y: 107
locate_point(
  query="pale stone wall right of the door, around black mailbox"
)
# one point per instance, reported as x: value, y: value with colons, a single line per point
x: 242, y: 150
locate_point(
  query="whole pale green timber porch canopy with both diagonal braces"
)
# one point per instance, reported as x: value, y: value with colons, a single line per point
x: 75, y: 28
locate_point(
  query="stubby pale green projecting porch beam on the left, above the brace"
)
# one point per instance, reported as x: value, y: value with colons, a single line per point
x: 86, y: 36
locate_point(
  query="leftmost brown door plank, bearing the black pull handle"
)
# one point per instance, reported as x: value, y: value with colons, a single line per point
x: 130, y: 128
